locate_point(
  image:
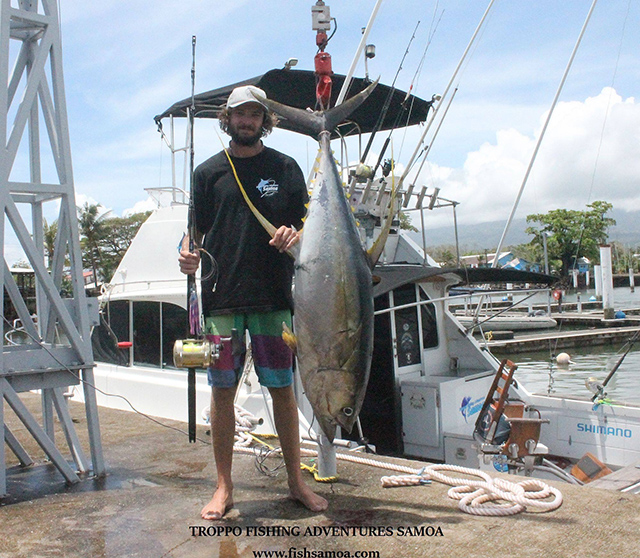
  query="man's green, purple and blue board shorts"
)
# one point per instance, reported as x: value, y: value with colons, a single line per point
x: 272, y: 358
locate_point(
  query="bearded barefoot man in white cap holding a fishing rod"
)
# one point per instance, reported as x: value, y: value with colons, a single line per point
x: 247, y: 285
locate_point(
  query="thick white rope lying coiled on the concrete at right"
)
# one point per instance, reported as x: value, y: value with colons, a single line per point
x: 475, y: 496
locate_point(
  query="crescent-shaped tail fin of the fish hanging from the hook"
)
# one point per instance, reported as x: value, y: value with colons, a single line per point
x: 313, y: 123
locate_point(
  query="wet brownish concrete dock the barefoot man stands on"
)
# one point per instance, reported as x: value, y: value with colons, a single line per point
x: 148, y: 506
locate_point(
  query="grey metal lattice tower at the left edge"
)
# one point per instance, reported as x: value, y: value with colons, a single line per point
x: 55, y: 347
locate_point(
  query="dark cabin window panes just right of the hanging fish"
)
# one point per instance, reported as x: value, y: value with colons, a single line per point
x: 408, y: 324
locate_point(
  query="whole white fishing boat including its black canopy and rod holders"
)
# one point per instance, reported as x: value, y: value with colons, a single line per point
x: 434, y: 392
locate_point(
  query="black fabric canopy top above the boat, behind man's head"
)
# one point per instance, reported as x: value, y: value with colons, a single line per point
x: 297, y: 88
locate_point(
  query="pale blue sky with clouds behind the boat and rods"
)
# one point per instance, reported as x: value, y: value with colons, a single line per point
x: 125, y: 62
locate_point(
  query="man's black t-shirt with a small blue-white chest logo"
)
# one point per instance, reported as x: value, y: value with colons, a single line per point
x: 252, y: 275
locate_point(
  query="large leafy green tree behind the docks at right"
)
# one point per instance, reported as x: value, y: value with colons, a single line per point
x: 572, y: 234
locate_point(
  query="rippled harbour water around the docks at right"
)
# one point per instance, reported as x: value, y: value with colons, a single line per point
x: 539, y: 372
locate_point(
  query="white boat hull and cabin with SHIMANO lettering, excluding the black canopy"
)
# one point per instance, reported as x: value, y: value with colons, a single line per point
x: 429, y: 377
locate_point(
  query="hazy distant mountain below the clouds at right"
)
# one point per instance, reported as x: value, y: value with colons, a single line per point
x: 483, y: 236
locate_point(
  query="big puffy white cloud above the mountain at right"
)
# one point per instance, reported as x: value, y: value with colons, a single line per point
x: 591, y: 151
